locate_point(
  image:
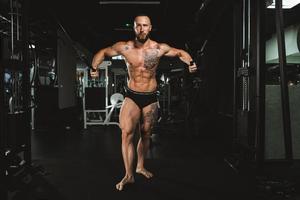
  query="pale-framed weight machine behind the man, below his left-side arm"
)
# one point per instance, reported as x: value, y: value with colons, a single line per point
x: 98, y: 107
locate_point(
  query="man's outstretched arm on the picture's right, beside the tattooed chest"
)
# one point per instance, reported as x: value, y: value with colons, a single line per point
x: 181, y: 54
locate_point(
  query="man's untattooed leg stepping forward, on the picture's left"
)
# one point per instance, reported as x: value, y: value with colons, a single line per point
x: 129, y: 117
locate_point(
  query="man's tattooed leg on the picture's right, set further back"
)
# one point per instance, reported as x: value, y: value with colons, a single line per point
x: 149, y: 118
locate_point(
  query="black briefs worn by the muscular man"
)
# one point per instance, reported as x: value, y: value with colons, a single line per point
x: 142, y: 99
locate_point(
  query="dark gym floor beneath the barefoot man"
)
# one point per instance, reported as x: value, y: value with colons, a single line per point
x: 86, y: 164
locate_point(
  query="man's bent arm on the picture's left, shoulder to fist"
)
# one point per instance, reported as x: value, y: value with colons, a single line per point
x: 114, y: 50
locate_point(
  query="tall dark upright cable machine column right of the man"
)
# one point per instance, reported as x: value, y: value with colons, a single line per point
x: 249, y: 75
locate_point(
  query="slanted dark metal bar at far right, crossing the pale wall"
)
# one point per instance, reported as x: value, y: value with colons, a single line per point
x: 283, y: 82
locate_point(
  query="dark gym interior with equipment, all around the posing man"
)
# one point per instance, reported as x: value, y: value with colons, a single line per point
x: 231, y: 130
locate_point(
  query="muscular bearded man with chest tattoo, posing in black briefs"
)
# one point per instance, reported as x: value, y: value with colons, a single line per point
x: 140, y: 105
